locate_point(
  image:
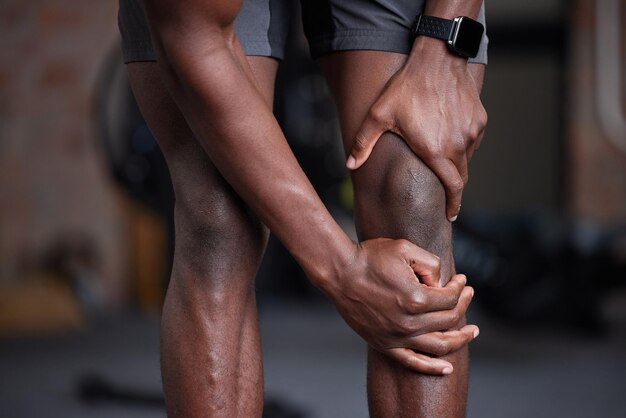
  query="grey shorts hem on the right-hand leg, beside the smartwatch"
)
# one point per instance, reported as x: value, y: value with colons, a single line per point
x: 372, y: 40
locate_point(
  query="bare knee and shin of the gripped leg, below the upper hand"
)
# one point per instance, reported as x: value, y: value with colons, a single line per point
x: 408, y: 202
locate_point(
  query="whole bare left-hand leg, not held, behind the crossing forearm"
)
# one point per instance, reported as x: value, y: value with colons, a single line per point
x: 210, y: 345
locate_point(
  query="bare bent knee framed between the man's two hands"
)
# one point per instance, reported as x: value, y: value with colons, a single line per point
x: 398, y: 196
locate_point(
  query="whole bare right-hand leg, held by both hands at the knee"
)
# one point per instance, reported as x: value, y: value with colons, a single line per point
x: 396, y: 196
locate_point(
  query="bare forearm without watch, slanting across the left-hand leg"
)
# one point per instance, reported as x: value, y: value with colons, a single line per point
x: 218, y: 96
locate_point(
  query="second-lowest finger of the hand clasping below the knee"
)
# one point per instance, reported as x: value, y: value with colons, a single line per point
x: 443, y: 343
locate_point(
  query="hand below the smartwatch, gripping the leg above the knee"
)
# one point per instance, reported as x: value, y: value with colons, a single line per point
x: 433, y: 103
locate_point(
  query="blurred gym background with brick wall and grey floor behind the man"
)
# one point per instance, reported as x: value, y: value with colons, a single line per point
x: 86, y: 235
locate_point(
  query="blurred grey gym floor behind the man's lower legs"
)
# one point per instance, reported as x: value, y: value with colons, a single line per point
x: 314, y: 363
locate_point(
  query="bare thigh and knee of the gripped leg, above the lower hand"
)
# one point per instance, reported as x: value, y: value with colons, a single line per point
x: 396, y: 195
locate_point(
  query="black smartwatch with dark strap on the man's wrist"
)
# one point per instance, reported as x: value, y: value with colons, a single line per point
x: 462, y: 34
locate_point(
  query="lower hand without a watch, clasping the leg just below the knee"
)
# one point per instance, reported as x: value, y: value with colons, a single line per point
x: 388, y: 296
